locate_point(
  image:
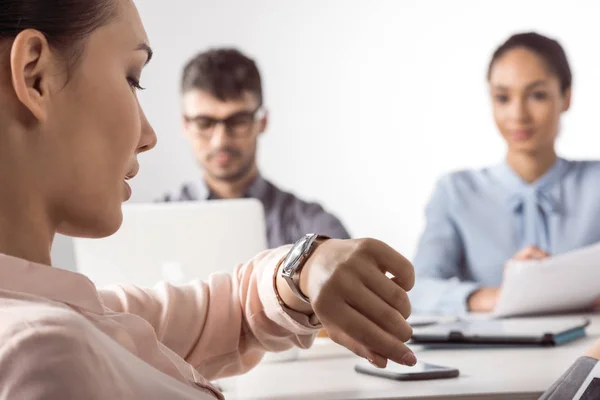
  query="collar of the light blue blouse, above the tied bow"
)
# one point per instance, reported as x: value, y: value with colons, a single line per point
x: 514, y: 189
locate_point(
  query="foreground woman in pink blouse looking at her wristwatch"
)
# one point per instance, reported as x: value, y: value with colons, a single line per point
x: 71, y: 128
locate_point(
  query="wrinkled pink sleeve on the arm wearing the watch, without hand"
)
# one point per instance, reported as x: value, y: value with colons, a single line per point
x: 222, y: 326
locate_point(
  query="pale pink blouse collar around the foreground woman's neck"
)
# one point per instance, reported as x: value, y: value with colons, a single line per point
x: 17, y: 275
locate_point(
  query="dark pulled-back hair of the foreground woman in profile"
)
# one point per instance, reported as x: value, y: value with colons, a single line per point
x: 65, y: 23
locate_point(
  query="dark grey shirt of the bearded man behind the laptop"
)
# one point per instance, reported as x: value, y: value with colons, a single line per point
x: 287, y: 217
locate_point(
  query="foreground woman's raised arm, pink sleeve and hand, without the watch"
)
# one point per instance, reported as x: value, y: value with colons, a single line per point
x: 223, y: 326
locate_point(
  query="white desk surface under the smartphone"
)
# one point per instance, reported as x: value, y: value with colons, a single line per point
x: 326, y: 372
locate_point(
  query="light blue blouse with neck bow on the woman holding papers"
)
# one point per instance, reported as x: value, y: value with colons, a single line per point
x: 478, y: 220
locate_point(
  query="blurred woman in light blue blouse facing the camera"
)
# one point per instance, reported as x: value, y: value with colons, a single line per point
x: 531, y: 205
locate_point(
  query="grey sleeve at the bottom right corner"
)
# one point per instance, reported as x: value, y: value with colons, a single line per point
x: 570, y: 383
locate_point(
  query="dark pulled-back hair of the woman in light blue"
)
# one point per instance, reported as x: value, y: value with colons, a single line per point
x: 549, y: 49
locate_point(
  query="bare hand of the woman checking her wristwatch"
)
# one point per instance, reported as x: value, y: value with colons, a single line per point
x: 359, y: 306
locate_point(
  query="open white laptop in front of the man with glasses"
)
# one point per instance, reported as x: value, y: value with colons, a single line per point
x: 175, y: 242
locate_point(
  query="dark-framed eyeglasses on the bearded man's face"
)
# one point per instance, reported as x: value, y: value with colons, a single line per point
x: 238, y: 125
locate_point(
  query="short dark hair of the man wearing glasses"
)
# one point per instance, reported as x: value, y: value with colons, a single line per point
x: 224, y: 73
